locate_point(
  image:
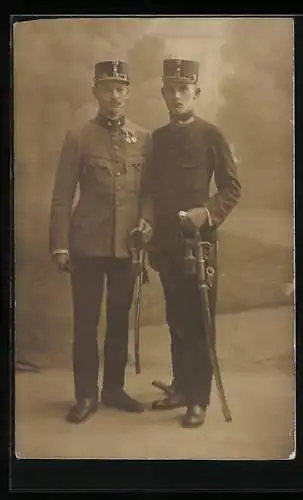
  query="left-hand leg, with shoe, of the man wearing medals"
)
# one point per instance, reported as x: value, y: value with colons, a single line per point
x: 87, y: 280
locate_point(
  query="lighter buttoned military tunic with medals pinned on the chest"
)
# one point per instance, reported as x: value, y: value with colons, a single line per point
x: 109, y: 165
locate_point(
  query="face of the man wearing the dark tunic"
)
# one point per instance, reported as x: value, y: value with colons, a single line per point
x: 180, y: 97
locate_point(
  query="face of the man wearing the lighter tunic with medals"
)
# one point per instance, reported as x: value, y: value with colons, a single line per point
x: 111, y: 96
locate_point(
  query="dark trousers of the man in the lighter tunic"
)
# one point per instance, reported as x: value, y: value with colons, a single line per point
x: 87, y: 280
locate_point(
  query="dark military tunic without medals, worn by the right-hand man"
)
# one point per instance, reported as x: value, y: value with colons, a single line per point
x: 184, y: 160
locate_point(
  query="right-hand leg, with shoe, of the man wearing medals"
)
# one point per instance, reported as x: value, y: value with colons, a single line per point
x: 120, y: 286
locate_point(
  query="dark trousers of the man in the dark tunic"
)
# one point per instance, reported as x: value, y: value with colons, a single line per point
x: 192, y: 370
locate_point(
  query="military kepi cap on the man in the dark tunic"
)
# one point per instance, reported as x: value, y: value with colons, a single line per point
x: 183, y: 70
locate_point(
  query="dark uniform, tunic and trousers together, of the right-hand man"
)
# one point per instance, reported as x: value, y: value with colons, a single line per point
x: 184, y: 160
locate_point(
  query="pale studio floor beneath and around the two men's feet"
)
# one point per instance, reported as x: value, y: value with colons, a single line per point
x: 255, y: 352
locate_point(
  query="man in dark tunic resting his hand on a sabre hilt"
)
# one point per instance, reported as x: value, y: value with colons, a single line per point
x: 187, y: 152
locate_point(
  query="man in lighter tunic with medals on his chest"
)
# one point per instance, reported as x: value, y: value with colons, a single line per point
x: 109, y: 158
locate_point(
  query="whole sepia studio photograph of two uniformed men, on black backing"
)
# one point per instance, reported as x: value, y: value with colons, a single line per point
x: 153, y: 163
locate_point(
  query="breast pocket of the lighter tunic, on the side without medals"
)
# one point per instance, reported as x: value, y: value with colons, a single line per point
x: 99, y: 172
